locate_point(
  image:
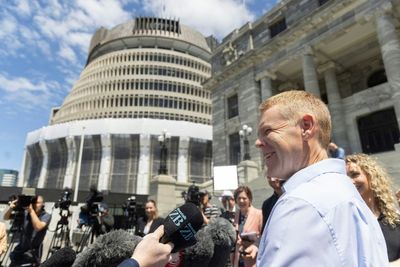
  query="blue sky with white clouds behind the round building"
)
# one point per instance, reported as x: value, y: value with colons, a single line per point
x: 43, y: 48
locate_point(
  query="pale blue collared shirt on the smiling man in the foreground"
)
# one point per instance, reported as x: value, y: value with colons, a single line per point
x: 321, y: 220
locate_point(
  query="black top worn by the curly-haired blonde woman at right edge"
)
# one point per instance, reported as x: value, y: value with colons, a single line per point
x: 392, y: 238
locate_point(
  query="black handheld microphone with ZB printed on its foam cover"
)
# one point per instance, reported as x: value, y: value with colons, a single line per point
x: 181, y: 225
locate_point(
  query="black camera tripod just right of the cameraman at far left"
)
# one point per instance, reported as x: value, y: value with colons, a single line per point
x: 61, y: 234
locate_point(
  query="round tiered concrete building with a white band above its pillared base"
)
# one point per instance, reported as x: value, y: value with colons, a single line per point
x: 141, y: 78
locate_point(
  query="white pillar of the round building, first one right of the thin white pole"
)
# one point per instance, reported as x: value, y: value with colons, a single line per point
x: 105, y: 164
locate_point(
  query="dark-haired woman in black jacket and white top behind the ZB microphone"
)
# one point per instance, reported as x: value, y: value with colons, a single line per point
x: 150, y: 222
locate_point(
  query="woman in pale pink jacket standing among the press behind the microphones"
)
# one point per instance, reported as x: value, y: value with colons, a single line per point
x: 248, y: 220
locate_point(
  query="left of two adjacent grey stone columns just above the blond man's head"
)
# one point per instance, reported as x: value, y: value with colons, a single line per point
x: 310, y: 73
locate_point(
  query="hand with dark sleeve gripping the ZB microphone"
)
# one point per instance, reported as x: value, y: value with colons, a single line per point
x: 150, y: 252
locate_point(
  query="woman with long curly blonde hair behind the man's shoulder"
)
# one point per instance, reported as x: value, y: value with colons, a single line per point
x: 374, y: 186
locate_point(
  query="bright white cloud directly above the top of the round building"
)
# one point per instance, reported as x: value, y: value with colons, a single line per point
x: 216, y: 17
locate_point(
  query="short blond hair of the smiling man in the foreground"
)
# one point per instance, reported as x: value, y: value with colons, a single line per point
x: 292, y: 104
